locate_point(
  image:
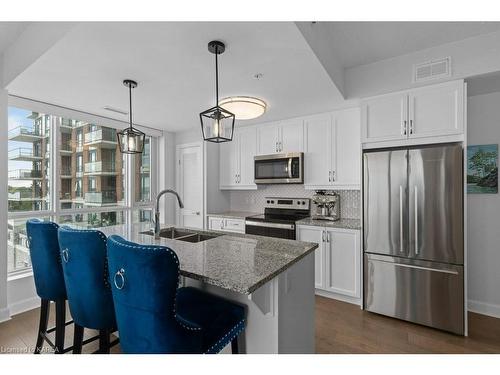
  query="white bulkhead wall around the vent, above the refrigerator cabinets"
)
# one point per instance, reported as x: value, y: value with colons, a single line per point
x: 470, y: 57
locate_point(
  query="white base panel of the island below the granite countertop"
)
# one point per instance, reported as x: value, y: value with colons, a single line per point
x: 280, y: 314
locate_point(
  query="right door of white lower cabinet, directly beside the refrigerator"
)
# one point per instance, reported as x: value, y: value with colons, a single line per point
x: 343, y: 262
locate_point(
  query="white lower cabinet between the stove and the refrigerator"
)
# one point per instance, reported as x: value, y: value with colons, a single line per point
x: 337, y: 259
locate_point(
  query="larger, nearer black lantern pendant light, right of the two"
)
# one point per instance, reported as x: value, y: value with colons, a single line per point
x: 217, y: 123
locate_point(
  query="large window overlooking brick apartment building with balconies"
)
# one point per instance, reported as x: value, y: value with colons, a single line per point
x: 87, y: 186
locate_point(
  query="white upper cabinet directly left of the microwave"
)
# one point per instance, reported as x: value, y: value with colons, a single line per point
x: 236, y: 160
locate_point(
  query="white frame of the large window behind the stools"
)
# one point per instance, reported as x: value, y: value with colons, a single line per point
x: 55, y: 211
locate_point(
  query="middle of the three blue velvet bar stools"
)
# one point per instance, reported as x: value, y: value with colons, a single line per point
x: 84, y: 264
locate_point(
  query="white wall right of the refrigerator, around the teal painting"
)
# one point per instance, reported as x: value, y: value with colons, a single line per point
x: 483, y: 121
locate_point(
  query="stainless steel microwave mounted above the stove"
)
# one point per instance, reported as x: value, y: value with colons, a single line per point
x: 279, y: 168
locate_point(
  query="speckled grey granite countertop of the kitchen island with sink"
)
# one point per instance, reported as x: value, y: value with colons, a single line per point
x: 237, y: 262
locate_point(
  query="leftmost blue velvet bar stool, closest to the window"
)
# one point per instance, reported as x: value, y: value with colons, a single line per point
x: 49, y: 281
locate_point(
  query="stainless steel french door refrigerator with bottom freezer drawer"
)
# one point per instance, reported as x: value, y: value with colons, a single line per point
x: 413, y: 238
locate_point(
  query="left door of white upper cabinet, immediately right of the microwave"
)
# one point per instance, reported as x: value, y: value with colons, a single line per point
x: 317, y: 159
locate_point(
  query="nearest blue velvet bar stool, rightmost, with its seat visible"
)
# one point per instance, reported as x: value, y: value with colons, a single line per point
x: 154, y: 316
